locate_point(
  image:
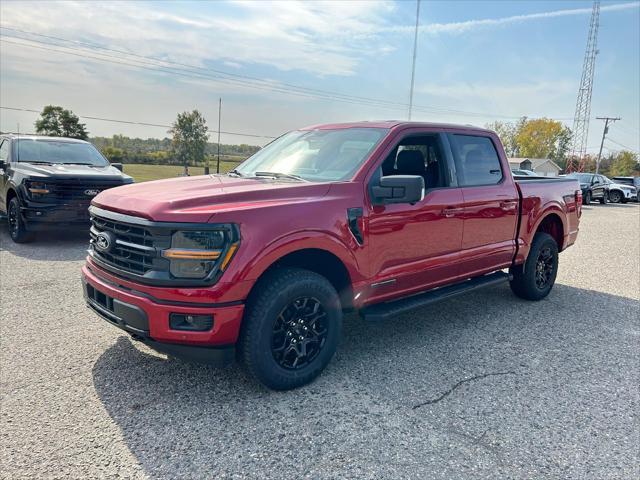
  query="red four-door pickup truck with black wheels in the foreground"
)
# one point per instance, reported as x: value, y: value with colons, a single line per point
x: 261, y: 263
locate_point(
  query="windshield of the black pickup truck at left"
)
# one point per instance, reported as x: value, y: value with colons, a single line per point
x: 52, y: 151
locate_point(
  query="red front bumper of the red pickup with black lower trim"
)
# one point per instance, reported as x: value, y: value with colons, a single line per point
x: 147, y: 319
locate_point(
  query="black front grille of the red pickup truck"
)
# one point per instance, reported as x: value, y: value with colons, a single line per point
x: 133, y: 248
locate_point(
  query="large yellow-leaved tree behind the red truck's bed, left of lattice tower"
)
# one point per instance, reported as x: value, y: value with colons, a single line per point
x: 543, y: 138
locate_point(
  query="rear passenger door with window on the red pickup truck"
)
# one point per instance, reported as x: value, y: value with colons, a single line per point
x: 490, y: 202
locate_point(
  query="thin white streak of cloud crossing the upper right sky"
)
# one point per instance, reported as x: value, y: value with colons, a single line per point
x: 469, y: 25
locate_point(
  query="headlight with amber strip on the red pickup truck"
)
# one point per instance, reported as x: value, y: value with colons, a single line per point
x: 195, y: 254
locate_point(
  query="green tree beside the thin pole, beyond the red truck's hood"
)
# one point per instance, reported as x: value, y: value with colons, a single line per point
x: 189, y: 138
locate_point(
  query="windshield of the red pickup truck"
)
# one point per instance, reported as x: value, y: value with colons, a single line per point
x: 315, y: 155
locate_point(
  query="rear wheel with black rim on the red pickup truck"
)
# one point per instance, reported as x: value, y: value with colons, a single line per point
x: 526, y: 282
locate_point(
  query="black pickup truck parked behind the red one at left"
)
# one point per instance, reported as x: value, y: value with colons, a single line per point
x: 48, y: 182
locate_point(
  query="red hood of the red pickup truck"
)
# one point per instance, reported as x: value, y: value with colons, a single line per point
x: 197, y: 199
